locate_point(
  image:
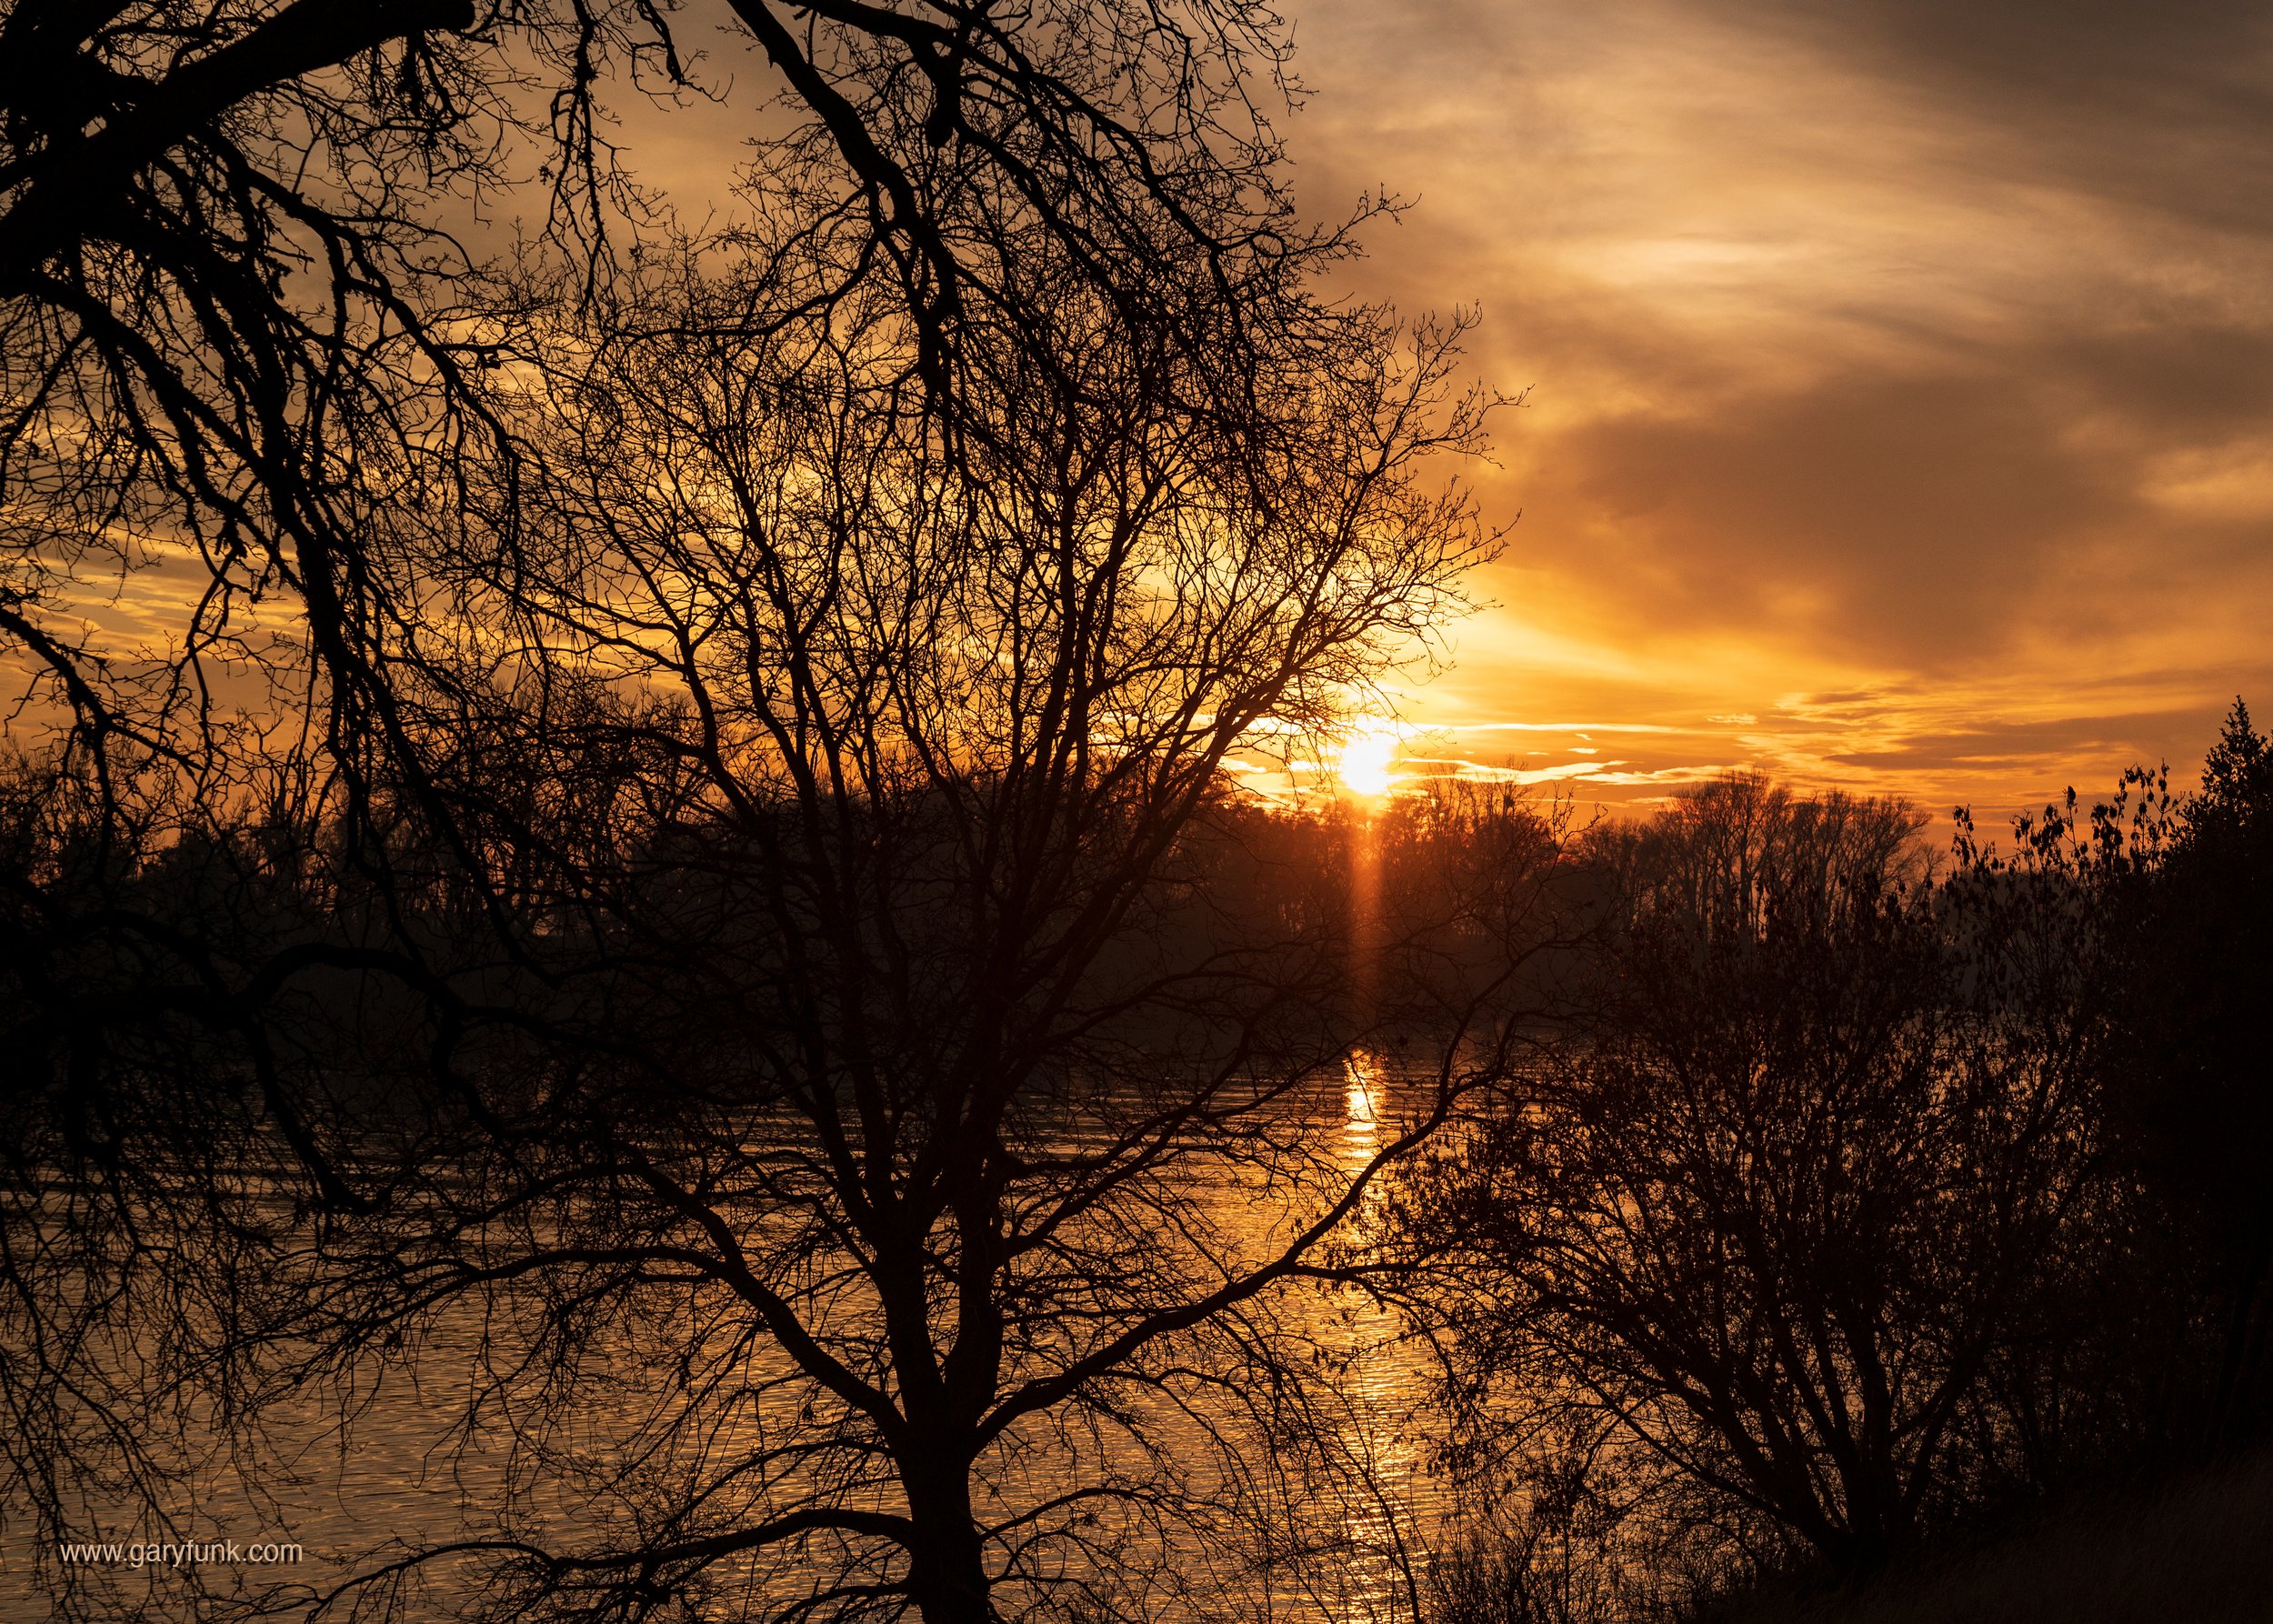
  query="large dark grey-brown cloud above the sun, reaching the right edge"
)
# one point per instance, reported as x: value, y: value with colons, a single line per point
x: 1924, y: 517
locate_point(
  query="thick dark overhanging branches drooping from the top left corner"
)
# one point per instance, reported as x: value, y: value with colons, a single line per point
x: 244, y: 285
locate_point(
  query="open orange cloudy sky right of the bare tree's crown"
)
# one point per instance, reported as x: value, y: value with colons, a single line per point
x: 1901, y: 374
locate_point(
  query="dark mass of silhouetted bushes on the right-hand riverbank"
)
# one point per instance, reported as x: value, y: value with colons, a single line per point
x: 1867, y: 1211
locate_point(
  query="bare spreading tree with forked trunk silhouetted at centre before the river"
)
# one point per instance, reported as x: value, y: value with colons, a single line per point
x: 919, y: 727
